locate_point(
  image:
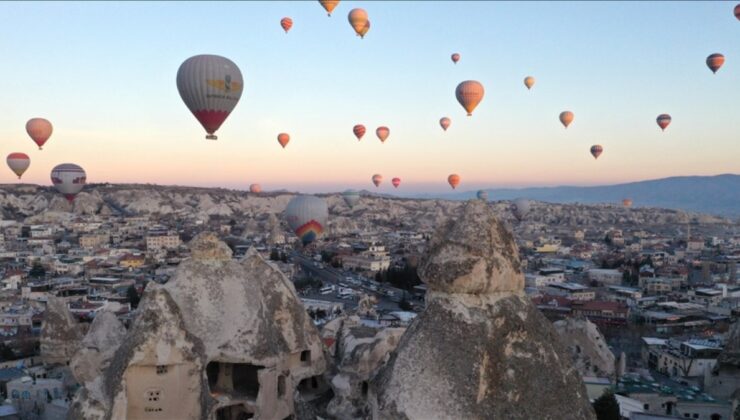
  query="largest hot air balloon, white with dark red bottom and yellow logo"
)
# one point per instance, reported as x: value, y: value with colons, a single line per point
x: 210, y: 86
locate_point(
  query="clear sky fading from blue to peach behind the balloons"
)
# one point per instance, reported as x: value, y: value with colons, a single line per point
x: 104, y: 74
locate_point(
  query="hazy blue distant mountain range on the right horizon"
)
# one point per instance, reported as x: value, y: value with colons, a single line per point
x: 719, y: 195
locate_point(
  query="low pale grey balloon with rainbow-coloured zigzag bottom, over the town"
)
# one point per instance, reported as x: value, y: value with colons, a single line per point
x: 307, y: 216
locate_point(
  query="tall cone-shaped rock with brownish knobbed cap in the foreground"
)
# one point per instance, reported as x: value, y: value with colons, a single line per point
x: 480, y: 349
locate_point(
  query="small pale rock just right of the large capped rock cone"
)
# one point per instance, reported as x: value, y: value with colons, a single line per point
x: 587, y: 347
